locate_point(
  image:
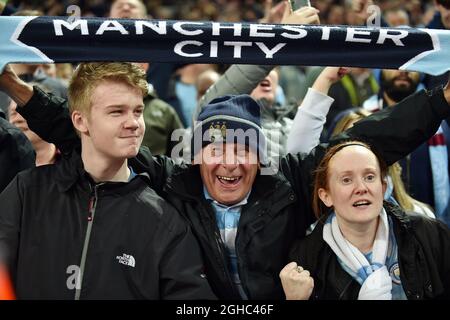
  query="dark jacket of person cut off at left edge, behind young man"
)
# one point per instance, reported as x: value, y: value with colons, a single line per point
x: 16, y: 152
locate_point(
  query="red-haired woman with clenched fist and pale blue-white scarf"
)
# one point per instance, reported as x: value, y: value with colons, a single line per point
x: 362, y: 247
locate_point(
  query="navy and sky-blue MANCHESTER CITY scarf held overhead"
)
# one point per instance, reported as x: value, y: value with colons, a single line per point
x: 64, y: 39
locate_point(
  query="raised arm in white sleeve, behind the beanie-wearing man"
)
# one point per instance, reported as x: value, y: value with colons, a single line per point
x: 311, y: 116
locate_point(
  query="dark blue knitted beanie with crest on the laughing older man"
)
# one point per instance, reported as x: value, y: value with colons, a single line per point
x: 232, y: 118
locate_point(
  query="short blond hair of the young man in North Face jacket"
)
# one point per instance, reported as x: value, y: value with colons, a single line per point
x: 88, y: 76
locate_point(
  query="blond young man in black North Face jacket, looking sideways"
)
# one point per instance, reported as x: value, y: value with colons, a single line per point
x: 89, y: 227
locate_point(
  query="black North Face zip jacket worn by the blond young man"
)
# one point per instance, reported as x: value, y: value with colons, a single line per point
x: 134, y: 244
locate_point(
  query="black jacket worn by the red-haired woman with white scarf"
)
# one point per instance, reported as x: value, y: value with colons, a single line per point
x: 423, y: 248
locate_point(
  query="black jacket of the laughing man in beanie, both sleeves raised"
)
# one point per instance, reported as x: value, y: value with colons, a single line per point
x: 279, y: 208
